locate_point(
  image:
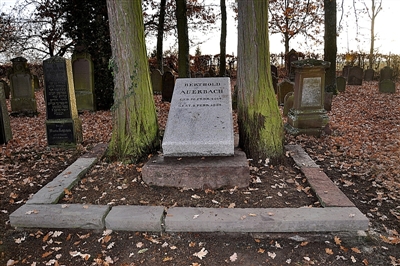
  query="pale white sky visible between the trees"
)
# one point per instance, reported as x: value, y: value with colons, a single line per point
x: 388, y: 39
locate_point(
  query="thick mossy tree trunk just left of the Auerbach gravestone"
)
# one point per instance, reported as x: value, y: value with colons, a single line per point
x: 135, y: 128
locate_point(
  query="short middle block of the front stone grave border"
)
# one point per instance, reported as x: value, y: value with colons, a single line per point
x: 135, y: 218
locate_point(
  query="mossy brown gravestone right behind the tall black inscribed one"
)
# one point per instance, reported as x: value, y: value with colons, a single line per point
x: 82, y: 67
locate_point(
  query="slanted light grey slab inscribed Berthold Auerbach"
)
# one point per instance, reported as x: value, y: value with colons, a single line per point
x: 200, y: 119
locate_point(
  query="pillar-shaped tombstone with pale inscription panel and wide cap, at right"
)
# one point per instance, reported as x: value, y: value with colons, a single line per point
x: 308, y: 115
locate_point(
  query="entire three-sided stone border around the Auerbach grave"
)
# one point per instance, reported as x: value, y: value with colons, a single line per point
x: 337, y: 214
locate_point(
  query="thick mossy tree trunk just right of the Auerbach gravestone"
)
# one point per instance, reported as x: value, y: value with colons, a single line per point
x: 260, y: 122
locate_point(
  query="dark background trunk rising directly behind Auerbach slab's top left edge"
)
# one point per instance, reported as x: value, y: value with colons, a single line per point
x: 183, y: 39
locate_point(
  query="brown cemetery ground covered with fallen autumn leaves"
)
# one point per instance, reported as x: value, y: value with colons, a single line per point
x: 360, y: 155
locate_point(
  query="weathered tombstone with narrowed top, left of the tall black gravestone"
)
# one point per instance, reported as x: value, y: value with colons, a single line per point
x: 23, y: 99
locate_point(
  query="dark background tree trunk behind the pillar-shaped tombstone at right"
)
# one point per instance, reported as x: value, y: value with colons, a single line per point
x: 330, y: 45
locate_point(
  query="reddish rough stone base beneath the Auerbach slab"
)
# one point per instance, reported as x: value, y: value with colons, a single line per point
x: 198, y: 172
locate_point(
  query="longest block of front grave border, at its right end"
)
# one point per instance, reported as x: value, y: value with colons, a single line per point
x: 186, y: 219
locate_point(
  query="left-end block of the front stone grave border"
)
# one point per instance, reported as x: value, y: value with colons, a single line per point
x: 60, y: 216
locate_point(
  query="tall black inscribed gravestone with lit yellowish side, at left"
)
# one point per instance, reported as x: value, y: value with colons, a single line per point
x: 63, y: 125
